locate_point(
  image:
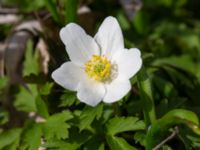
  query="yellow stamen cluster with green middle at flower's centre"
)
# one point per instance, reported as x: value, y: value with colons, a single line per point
x: 98, y: 68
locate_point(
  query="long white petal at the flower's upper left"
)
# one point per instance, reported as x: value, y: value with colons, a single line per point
x: 80, y: 46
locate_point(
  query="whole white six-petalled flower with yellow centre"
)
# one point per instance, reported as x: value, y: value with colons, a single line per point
x: 100, y: 67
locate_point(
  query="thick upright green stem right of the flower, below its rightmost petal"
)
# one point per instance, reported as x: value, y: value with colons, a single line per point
x: 146, y: 97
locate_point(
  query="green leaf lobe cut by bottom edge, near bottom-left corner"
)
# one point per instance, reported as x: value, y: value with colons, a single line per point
x: 31, y: 136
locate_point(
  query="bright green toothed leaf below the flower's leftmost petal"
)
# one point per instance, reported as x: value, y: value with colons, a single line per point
x: 56, y: 126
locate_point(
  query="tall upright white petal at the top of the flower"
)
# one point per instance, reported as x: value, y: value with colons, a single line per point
x: 109, y: 37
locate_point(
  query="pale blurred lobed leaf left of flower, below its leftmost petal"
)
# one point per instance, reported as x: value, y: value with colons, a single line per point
x: 25, y: 100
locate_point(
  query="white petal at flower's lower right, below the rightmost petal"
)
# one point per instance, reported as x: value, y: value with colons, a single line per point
x: 116, y: 90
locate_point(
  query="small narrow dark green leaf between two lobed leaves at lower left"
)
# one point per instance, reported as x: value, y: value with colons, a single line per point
x: 41, y: 107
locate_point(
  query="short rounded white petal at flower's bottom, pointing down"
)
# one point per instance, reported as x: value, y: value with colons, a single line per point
x: 91, y: 92
